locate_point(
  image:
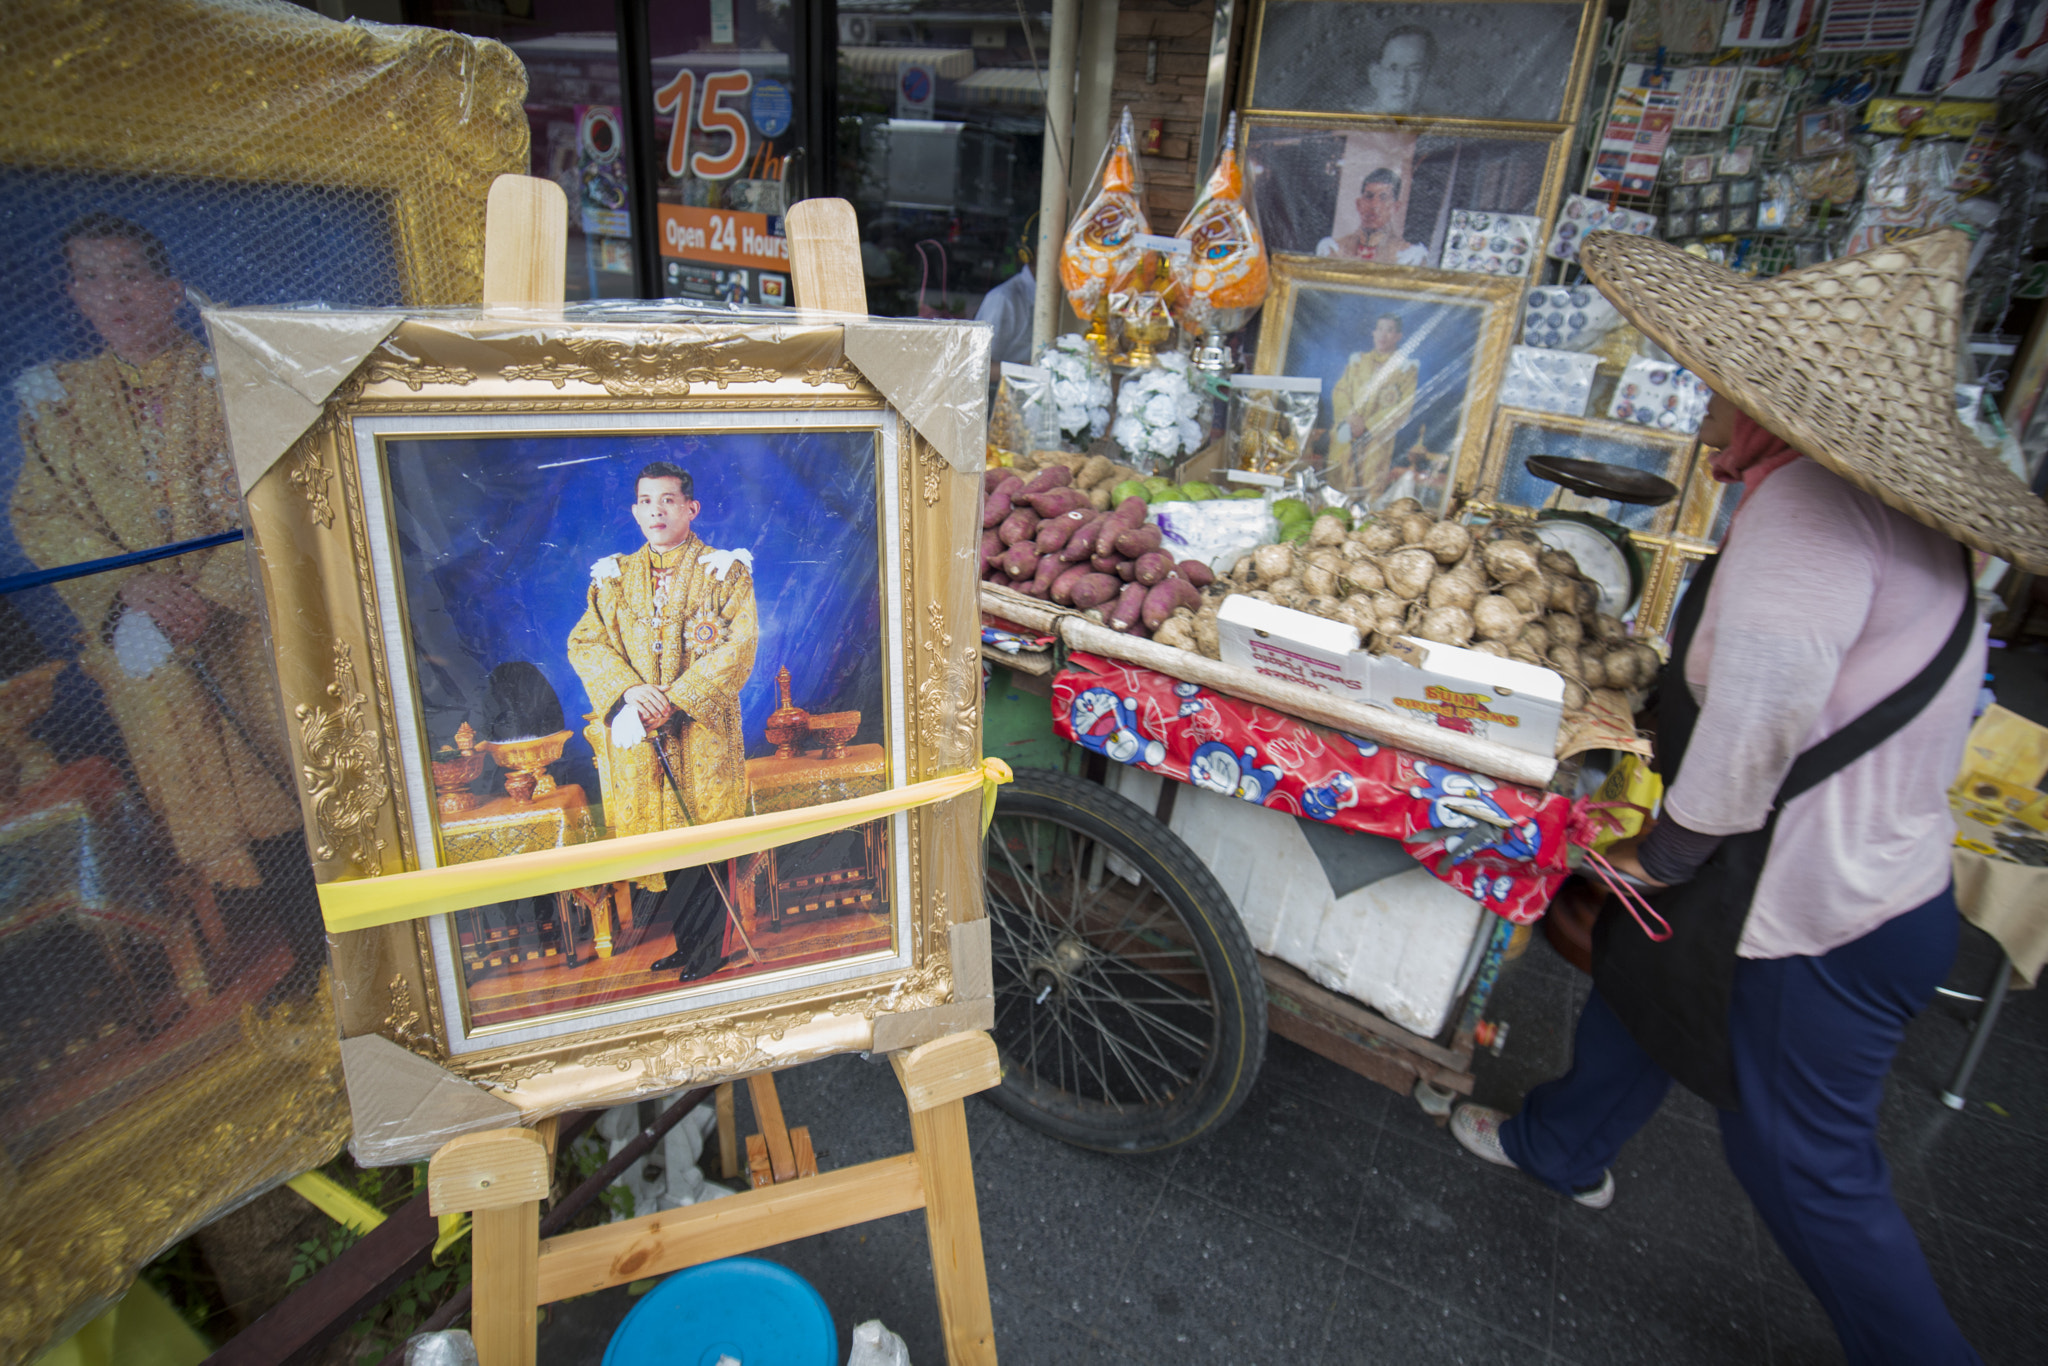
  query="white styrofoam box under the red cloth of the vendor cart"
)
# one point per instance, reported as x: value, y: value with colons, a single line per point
x: 1404, y: 945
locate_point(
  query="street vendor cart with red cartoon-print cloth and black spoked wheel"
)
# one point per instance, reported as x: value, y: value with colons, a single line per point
x: 1195, y: 857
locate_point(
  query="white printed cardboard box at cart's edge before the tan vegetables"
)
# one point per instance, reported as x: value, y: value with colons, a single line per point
x: 1504, y: 701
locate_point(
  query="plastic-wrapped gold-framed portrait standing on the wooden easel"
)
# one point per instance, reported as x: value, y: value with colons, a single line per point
x: 474, y: 562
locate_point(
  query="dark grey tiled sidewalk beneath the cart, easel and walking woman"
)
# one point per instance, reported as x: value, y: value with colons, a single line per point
x: 1334, y: 1224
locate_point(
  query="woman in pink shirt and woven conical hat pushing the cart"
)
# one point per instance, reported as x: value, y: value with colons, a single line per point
x: 1809, y: 726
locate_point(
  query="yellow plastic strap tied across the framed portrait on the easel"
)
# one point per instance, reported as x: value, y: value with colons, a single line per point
x: 366, y: 904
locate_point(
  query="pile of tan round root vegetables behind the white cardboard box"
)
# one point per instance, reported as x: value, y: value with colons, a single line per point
x: 1492, y: 589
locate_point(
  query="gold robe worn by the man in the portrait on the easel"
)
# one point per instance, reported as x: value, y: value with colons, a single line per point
x: 708, y: 630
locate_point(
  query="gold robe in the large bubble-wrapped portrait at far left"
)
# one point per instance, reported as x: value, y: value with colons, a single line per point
x: 118, y: 460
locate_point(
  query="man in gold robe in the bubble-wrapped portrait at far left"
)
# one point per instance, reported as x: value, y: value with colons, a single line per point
x: 128, y: 454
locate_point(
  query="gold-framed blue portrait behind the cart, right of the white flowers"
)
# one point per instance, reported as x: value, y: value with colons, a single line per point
x: 1414, y: 355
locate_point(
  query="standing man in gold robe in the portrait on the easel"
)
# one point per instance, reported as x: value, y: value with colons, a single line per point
x: 665, y: 648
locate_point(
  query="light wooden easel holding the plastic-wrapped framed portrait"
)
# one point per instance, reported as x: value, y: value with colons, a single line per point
x: 499, y: 1179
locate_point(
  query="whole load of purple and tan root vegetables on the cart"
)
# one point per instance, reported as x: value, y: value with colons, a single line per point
x: 1052, y: 533
